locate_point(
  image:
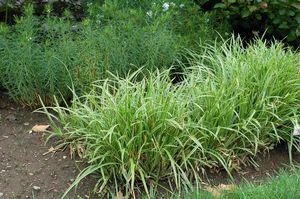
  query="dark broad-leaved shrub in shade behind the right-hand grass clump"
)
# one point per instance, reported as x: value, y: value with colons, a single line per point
x: 277, y: 17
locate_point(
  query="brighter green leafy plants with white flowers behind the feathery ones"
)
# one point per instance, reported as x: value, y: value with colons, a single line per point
x: 184, y: 18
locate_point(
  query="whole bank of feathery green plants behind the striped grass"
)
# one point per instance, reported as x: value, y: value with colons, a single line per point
x: 44, y: 56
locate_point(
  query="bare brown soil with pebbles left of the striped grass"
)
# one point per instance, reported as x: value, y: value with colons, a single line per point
x: 25, y: 170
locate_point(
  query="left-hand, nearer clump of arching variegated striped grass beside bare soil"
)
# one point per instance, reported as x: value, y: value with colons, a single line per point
x: 131, y: 133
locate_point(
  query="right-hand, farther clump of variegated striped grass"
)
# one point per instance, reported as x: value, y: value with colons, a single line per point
x: 244, y: 99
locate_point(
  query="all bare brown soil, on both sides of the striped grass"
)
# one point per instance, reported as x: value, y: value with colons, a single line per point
x: 28, y: 171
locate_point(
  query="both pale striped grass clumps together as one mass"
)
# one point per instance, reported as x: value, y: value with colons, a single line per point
x: 233, y: 103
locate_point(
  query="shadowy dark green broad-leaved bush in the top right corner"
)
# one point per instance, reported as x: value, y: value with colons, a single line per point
x: 279, y: 18
